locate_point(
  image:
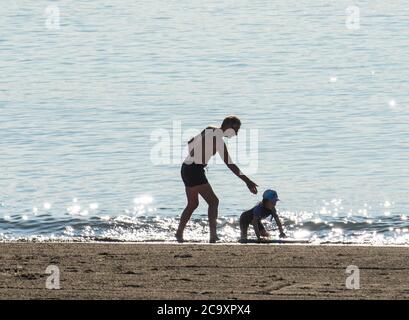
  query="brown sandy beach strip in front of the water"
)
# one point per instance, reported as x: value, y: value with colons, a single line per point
x: 195, y: 271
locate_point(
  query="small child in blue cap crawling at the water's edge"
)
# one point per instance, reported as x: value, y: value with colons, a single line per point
x: 261, y: 211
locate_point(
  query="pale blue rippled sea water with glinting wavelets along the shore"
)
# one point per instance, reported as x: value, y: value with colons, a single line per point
x: 79, y: 104
